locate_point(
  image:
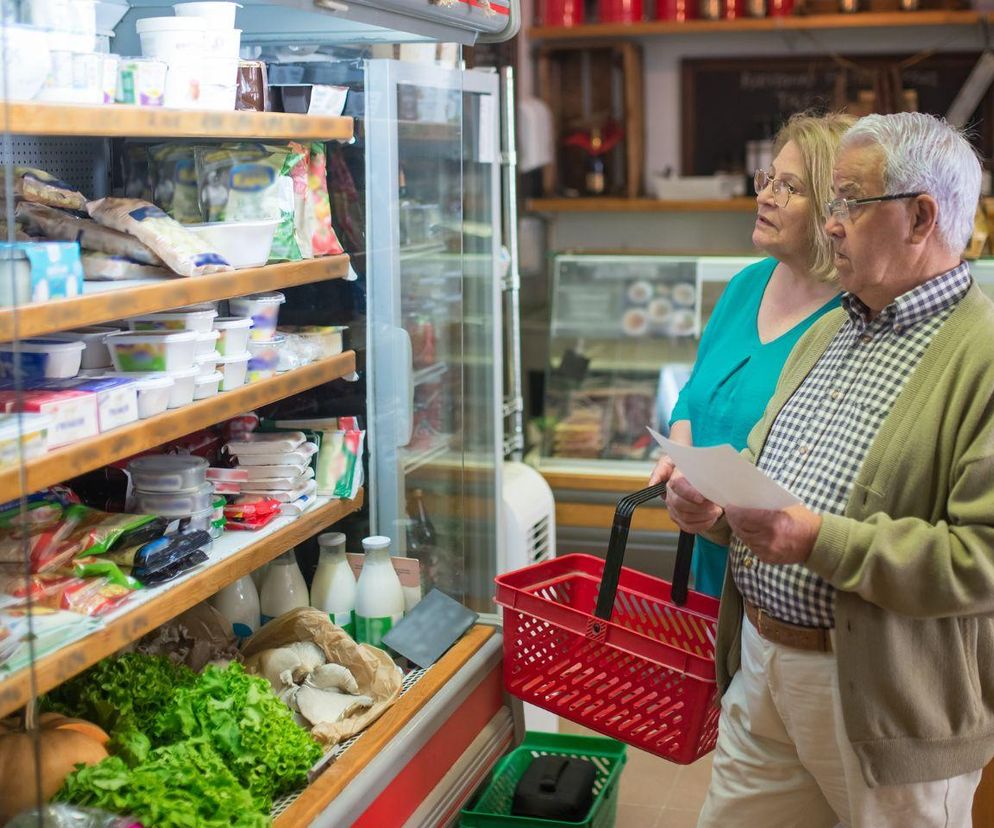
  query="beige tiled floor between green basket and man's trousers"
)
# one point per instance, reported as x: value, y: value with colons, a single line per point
x: 656, y: 793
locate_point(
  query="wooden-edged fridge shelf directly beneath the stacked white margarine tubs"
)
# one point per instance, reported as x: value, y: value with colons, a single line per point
x: 86, y: 455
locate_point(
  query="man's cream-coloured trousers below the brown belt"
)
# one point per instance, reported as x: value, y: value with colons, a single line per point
x: 783, y: 759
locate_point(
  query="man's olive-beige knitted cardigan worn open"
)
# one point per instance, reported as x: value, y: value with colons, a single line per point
x: 912, y: 560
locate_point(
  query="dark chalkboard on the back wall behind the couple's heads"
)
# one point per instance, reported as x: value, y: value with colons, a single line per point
x: 728, y: 102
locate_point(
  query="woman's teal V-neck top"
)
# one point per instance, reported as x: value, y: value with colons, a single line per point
x: 733, y: 379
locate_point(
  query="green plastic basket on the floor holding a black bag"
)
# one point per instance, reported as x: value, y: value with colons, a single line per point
x: 493, y: 808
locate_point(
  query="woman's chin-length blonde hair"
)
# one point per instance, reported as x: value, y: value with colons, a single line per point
x: 817, y: 137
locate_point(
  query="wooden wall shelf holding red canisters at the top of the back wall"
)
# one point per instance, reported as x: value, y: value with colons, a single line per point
x: 862, y: 20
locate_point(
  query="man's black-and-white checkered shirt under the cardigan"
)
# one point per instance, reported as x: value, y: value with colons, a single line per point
x: 822, y: 435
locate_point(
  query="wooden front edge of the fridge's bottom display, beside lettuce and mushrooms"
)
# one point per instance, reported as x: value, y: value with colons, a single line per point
x: 316, y: 797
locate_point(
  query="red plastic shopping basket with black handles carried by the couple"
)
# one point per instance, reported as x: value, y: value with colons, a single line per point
x: 615, y: 650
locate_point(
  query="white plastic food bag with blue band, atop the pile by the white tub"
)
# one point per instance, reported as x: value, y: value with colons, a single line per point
x: 181, y: 249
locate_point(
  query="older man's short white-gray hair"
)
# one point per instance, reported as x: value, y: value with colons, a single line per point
x: 923, y: 153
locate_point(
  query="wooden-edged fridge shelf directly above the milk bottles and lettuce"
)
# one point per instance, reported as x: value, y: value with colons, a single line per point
x: 235, y: 554
